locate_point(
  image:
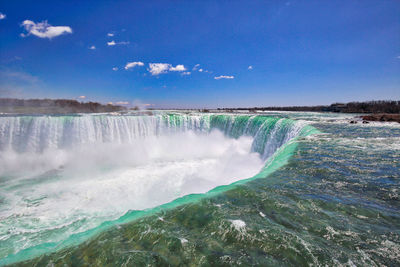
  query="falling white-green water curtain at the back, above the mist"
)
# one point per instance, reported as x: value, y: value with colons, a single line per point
x: 38, y: 133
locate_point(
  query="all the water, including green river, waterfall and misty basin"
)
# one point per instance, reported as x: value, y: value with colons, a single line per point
x: 199, y: 189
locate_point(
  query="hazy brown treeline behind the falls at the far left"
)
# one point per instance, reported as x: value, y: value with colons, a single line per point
x: 53, y: 106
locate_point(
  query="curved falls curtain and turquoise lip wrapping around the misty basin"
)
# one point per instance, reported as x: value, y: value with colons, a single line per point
x: 275, y: 139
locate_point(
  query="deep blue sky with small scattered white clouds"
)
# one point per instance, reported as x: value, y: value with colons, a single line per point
x: 300, y: 52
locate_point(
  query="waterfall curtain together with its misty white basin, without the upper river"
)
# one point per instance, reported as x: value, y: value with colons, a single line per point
x: 63, y: 175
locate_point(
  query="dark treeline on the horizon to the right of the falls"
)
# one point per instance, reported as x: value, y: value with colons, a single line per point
x: 380, y: 106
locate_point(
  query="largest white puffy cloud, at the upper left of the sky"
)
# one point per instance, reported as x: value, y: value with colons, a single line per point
x: 43, y: 29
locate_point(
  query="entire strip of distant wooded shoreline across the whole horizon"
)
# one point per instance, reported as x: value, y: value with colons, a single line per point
x: 377, y: 110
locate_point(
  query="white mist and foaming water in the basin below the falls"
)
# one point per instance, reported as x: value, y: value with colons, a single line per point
x: 55, y: 193
